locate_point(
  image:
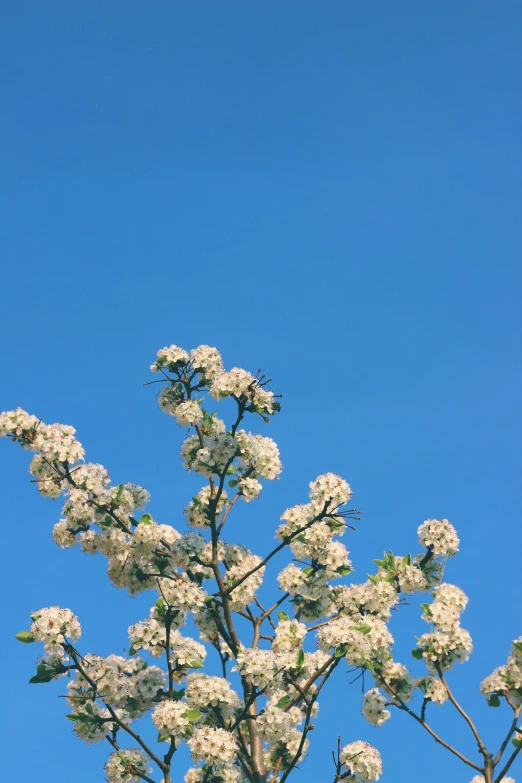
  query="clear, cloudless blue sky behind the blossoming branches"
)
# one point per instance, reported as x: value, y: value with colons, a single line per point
x: 329, y: 191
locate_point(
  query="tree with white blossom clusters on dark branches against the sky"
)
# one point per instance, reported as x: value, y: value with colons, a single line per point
x: 252, y: 722
